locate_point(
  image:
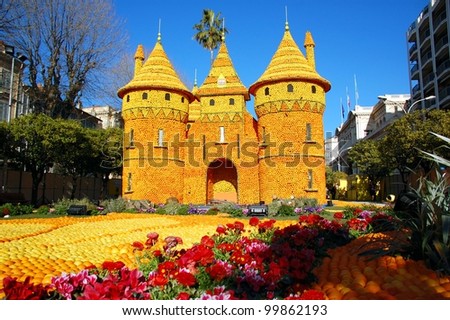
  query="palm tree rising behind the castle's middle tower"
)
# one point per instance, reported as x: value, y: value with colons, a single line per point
x: 210, y: 30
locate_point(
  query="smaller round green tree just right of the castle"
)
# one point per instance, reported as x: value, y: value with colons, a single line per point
x: 367, y: 156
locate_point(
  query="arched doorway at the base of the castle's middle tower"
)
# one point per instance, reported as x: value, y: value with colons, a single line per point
x: 221, y: 181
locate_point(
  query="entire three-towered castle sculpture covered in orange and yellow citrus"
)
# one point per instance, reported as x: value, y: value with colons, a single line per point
x: 202, y: 144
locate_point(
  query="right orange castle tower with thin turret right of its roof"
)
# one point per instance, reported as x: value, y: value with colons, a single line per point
x: 289, y: 102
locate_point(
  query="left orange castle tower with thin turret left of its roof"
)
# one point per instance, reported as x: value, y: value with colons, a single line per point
x: 155, y: 111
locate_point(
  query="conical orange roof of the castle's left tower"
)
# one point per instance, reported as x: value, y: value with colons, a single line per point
x: 157, y: 73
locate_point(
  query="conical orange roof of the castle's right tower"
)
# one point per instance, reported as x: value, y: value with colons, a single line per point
x: 289, y: 63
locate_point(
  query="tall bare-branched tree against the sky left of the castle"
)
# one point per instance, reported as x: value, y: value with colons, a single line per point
x: 69, y: 45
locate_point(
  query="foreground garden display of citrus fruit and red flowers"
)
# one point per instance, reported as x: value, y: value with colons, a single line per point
x: 137, y: 256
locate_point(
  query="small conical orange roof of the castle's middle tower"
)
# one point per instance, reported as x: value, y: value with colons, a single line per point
x: 222, y: 78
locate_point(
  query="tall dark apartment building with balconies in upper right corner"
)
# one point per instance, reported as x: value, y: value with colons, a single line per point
x: 428, y: 56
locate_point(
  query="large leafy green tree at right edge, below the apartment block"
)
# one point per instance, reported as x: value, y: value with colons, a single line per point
x: 406, y: 136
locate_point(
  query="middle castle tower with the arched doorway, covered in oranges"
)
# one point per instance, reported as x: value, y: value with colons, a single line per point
x: 223, y: 127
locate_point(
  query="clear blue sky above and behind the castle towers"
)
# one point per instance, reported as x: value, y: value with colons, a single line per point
x: 366, y: 39
